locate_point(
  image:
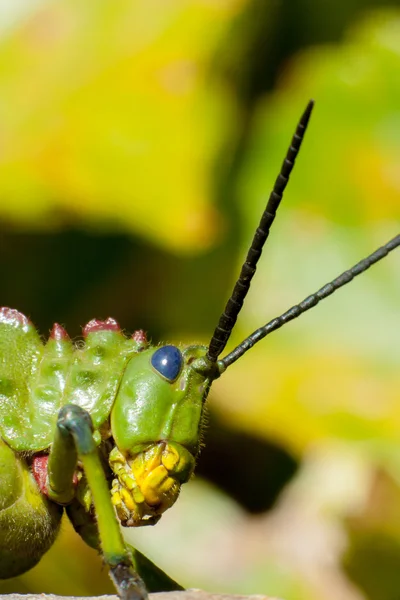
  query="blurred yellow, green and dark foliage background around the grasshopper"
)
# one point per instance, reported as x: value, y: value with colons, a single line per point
x: 139, y: 140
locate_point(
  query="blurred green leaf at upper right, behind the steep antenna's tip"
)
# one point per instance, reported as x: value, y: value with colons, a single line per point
x: 349, y: 162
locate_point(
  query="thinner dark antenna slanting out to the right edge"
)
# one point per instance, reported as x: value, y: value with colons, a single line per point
x: 310, y: 301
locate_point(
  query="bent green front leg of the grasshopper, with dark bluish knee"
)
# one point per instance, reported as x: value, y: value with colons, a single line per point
x: 74, y: 441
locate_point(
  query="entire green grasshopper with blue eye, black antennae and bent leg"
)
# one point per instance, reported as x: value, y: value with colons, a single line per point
x: 110, y: 429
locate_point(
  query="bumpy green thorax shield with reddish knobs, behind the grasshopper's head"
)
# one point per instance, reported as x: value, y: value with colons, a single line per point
x: 36, y: 380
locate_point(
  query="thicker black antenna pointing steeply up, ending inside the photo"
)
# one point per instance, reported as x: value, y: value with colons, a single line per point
x: 235, y: 302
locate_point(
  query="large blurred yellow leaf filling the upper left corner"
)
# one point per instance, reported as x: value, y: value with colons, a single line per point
x: 109, y: 114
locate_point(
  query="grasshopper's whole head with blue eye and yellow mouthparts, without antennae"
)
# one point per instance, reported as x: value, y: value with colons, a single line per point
x: 156, y: 423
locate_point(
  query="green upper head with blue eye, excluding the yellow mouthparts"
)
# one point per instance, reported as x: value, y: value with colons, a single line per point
x: 161, y: 397
